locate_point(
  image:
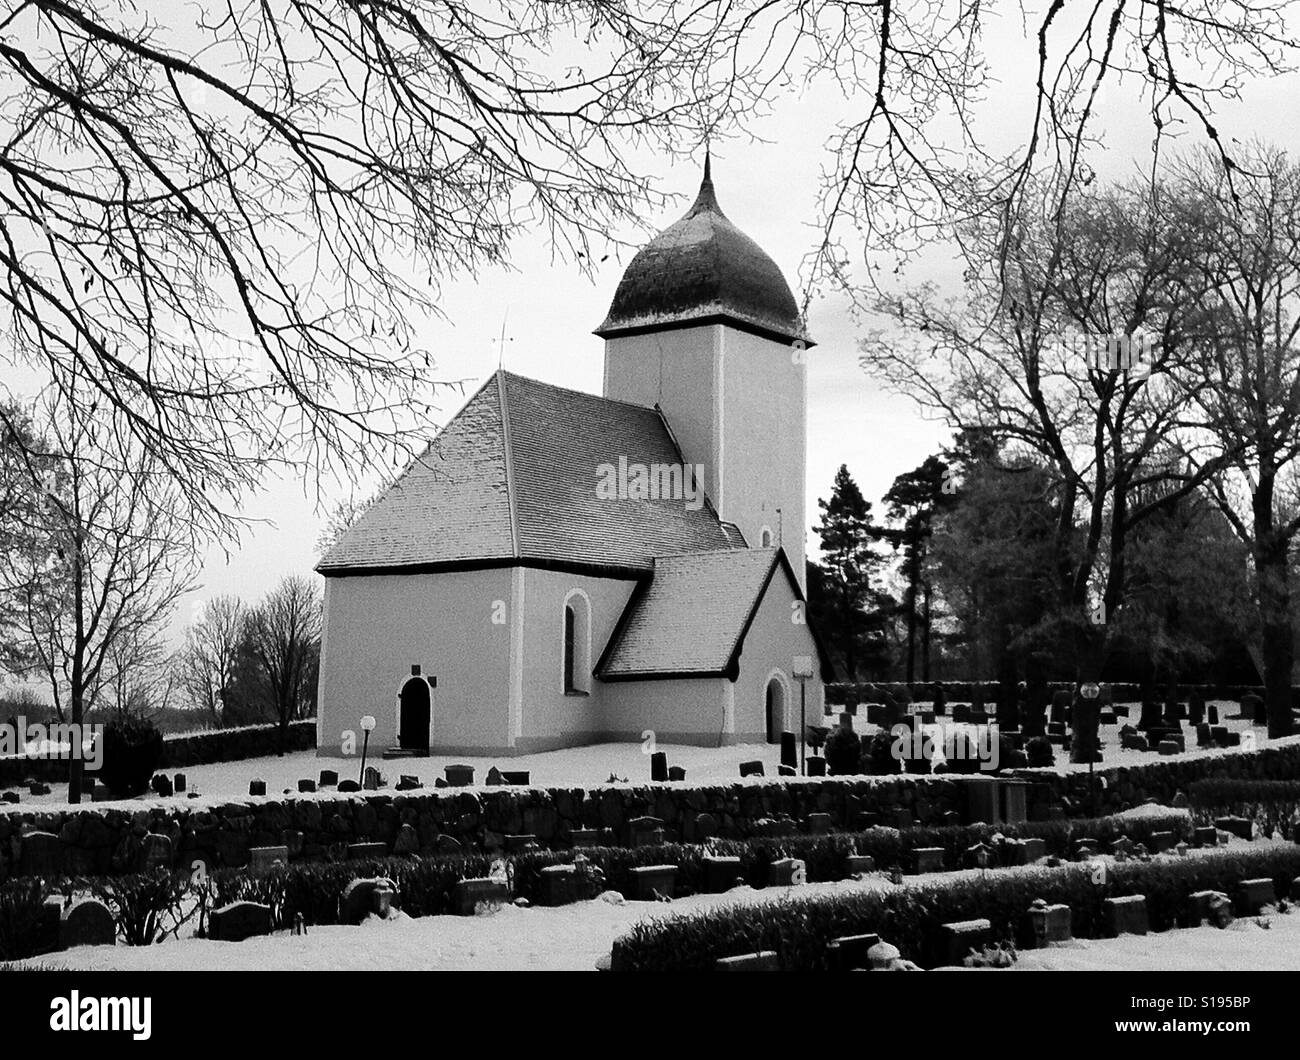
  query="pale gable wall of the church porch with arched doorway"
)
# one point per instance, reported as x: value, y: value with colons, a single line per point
x: 775, y: 638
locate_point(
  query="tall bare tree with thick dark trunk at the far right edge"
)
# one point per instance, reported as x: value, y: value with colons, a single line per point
x: 1249, y: 223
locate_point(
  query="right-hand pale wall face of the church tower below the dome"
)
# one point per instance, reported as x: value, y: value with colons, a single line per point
x: 765, y: 442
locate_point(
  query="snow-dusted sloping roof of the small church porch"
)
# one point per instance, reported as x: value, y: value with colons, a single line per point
x: 691, y: 618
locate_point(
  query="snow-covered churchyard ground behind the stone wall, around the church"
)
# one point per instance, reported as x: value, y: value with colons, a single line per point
x: 587, y: 767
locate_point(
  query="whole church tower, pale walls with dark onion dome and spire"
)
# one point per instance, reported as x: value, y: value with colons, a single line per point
x: 705, y: 327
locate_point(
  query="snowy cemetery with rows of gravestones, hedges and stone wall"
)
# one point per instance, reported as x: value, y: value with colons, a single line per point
x: 882, y: 866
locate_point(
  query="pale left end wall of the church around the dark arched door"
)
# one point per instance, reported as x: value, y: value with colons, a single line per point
x: 456, y: 626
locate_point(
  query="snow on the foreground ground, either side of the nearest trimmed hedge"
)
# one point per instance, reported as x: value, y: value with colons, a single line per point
x: 577, y: 937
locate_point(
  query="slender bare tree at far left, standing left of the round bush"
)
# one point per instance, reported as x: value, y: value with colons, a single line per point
x: 123, y: 553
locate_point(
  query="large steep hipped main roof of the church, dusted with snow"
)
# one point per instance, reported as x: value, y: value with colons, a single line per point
x: 513, y: 478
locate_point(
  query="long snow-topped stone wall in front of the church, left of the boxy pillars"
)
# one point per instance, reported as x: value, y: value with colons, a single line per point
x: 124, y: 838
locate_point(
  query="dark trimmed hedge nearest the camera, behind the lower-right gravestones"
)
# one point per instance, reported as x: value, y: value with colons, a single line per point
x: 801, y: 928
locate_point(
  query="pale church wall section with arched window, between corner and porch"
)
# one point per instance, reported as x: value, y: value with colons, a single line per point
x: 551, y: 719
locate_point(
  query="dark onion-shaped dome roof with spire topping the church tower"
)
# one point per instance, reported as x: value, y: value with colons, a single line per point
x: 704, y: 270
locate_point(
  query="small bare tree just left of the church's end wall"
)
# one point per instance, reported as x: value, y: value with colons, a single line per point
x: 283, y: 637
